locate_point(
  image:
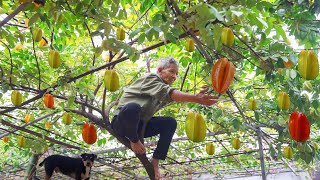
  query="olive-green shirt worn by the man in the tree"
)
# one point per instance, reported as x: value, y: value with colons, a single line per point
x: 150, y: 92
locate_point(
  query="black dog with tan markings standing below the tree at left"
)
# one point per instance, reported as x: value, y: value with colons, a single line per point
x: 77, y: 168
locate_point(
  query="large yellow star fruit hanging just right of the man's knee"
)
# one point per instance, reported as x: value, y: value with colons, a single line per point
x: 195, y: 127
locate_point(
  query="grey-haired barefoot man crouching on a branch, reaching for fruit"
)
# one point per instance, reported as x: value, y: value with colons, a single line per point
x: 135, y: 118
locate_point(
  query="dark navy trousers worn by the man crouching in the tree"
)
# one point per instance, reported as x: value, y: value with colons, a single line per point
x: 127, y: 123
